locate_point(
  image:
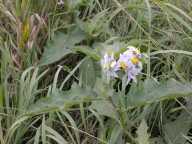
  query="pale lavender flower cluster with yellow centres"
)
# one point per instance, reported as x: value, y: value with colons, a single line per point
x: 129, y: 62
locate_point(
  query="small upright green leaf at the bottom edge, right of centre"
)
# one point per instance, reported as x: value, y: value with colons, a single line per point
x: 142, y: 135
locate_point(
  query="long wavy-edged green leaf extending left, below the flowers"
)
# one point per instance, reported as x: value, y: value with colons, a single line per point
x: 59, y: 100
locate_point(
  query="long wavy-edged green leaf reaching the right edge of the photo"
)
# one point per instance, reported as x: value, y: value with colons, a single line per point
x: 151, y: 91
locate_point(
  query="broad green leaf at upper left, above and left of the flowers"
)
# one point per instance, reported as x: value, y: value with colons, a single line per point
x: 61, y: 45
